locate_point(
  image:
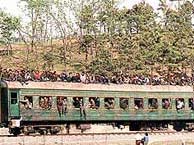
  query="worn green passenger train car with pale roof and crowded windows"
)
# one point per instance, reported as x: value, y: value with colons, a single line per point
x: 45, y: 107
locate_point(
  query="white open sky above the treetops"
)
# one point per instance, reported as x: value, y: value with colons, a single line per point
x: 11, y: 6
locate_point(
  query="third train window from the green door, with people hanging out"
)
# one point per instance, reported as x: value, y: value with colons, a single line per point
x: 62, y: 104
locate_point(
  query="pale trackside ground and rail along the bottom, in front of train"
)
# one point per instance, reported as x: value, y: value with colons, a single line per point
x: 115, y: 138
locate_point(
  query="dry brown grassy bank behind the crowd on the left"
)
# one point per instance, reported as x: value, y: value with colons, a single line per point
x: 36, y: 59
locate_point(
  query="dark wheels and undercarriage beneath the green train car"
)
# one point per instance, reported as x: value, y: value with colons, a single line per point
x: 43, y: 128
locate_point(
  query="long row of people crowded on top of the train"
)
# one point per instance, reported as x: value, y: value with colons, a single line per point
x: 23, y: 76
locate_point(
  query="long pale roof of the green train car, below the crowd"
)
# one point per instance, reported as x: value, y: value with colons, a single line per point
x: 102, y: 87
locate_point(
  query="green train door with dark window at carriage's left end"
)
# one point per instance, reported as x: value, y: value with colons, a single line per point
x: 14, y: 103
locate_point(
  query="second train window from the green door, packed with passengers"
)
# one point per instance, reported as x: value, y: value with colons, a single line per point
x: 45, y: 102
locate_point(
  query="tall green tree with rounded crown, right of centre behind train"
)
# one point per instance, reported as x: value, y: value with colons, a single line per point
x: 143, y: 30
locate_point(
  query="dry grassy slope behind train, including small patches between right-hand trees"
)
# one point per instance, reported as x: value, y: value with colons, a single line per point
x: 75, y: 59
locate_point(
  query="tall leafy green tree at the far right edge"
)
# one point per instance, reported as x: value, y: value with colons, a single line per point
x: 177, y: 35
